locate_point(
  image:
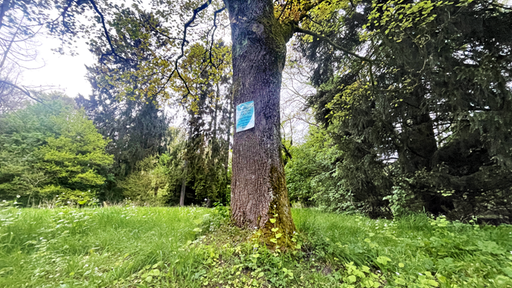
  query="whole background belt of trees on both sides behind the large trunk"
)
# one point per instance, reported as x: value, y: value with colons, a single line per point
x: 417, y: 118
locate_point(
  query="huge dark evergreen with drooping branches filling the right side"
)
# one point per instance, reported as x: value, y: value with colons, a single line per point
x: 424, y: 110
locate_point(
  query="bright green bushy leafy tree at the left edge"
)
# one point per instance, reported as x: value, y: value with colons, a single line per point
x: 51, y: 151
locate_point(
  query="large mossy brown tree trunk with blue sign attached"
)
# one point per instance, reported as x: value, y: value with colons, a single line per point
x: 258, y: 191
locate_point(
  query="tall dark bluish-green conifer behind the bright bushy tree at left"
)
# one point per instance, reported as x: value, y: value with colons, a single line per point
x: 122, y: 109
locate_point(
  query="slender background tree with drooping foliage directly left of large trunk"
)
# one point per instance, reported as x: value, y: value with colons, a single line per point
x: 209, y: 114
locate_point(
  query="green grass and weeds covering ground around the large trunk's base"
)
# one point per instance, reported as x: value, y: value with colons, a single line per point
x: 194, y: 247
